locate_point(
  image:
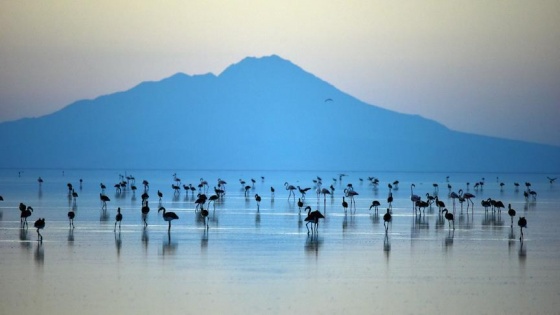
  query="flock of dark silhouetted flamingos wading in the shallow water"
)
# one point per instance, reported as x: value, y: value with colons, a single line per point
x: 203, y: 201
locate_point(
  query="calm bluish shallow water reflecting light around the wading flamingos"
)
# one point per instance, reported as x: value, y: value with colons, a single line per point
x: 264, y: 261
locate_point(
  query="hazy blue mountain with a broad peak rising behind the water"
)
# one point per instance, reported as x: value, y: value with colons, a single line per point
x: 260, y: 114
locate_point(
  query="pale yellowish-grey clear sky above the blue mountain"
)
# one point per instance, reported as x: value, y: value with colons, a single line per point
x: 483, y: 67
